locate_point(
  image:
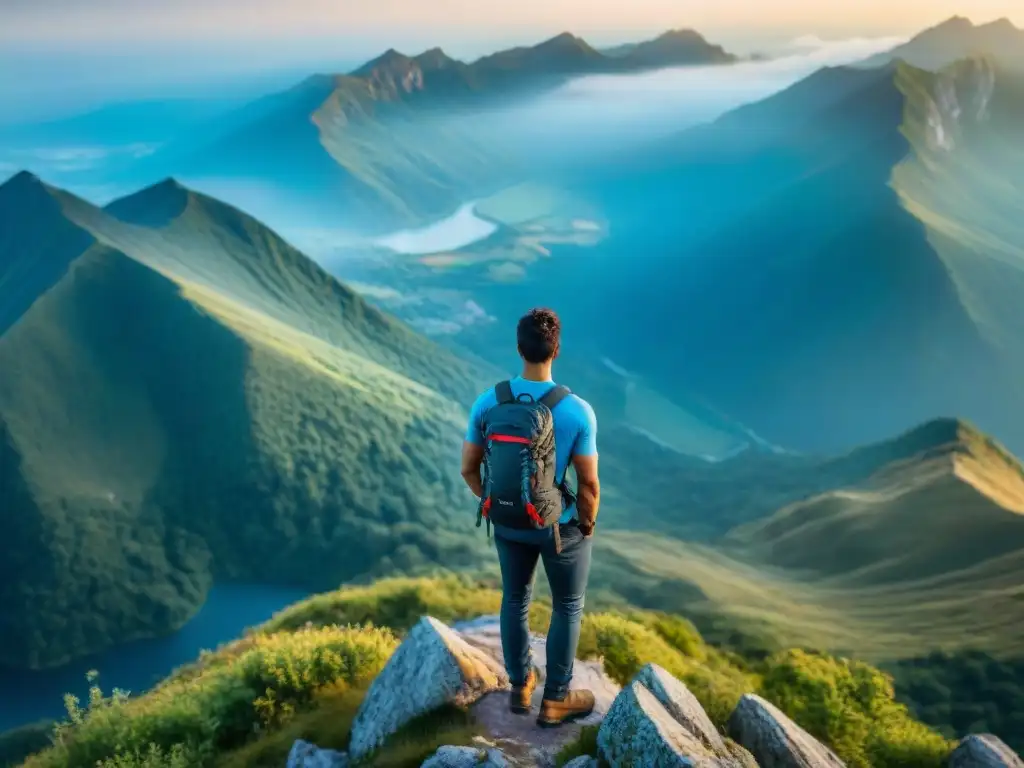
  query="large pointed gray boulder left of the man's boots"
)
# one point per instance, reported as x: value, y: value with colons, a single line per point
x: 434, y: 667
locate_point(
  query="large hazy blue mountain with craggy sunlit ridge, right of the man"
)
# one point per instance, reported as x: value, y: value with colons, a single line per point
x: 846, y: 267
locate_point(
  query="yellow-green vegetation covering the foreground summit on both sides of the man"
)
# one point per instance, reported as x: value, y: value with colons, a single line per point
x: 302, y: 676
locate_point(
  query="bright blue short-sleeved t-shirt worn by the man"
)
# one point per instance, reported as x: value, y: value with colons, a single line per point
x: 576, y: 426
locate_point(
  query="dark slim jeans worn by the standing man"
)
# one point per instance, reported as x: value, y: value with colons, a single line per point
x: 519, y: 552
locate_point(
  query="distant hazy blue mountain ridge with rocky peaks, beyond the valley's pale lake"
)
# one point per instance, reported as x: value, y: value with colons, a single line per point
x: 383, y: 147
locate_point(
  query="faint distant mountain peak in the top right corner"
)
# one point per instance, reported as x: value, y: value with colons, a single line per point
x: 955, y: 39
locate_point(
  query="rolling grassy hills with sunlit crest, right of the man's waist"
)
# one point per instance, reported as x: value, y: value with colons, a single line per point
x: 891, y: 552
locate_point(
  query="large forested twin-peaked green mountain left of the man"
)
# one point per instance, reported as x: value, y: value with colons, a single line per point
x: 187, y: 398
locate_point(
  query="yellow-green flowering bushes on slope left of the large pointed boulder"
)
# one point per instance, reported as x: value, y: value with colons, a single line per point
x: 249, y: 690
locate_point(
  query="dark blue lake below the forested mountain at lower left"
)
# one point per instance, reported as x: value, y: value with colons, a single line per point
x: 28, y: 697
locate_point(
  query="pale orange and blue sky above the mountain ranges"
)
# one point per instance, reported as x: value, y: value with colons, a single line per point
x: 64, y: 56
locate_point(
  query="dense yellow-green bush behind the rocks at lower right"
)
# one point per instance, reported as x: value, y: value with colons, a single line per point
x: 851, y: 707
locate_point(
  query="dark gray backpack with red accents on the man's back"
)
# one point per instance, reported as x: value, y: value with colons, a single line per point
x: 520, y: 486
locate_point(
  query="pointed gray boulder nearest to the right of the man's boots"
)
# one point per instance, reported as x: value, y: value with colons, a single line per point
x: 639, y: 732
